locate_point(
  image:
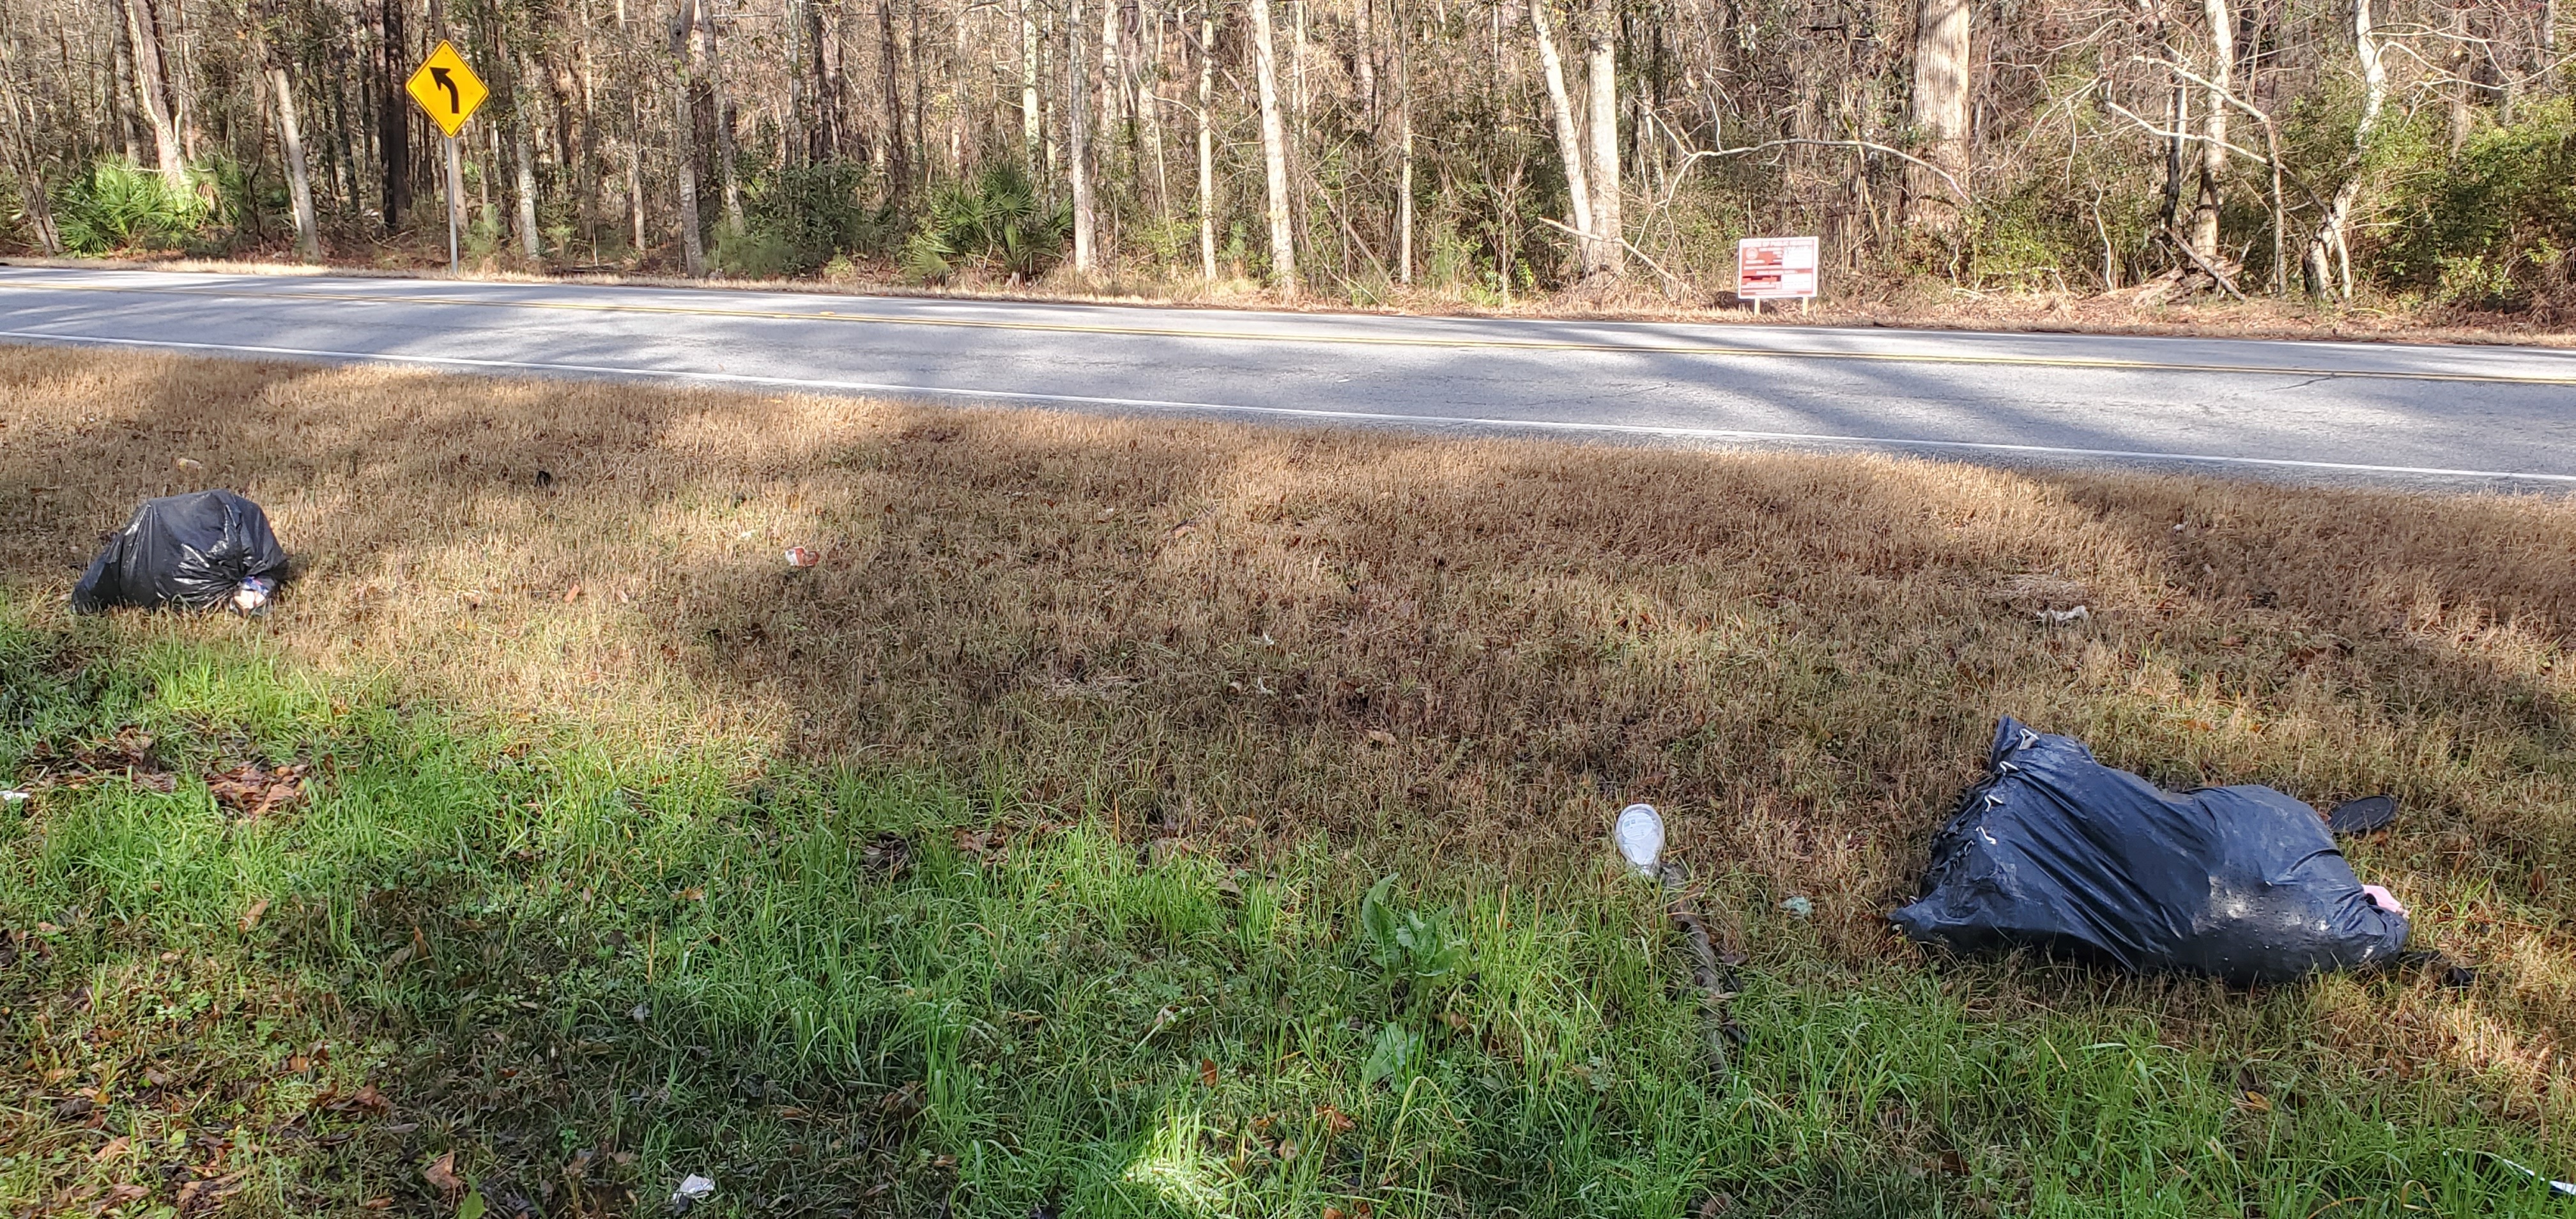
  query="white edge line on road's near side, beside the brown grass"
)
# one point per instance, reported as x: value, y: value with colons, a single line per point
x: 1307, y: 414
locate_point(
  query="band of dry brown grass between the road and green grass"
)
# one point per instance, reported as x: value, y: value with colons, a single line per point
x: 1428, y: 646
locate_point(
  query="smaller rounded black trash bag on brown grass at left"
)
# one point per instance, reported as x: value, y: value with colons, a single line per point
x: 184, y: 550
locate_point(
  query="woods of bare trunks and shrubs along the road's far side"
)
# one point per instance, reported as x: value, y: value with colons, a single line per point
x: 2405, y: 151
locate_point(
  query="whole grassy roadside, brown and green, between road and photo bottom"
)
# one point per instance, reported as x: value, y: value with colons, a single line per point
x: 1150, y: 707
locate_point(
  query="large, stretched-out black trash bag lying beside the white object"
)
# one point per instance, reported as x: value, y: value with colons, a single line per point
x: 2065, y: 854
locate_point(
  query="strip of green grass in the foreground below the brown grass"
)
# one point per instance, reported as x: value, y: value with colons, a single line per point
x: 535, y: 970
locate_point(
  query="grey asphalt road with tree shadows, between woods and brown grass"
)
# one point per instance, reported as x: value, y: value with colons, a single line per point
x: 2420, y: 416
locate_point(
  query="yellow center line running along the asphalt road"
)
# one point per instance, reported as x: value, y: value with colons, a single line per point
x: 1354, y: 341
